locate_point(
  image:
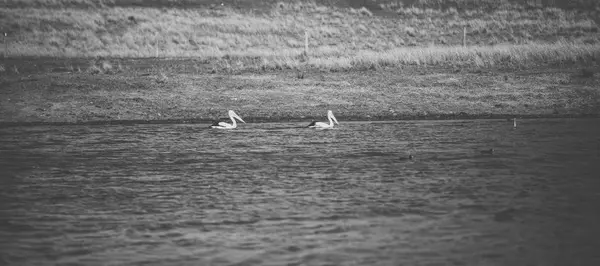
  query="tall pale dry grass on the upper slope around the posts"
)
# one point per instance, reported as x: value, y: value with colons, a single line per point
x: 340, y: 38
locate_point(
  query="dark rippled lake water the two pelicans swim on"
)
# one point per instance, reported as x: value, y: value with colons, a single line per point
x: 276, y: 194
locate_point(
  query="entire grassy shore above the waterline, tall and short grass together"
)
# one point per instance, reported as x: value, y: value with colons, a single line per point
x: 77, y: 61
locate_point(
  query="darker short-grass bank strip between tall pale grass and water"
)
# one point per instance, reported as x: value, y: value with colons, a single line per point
x: 171, y: 89
